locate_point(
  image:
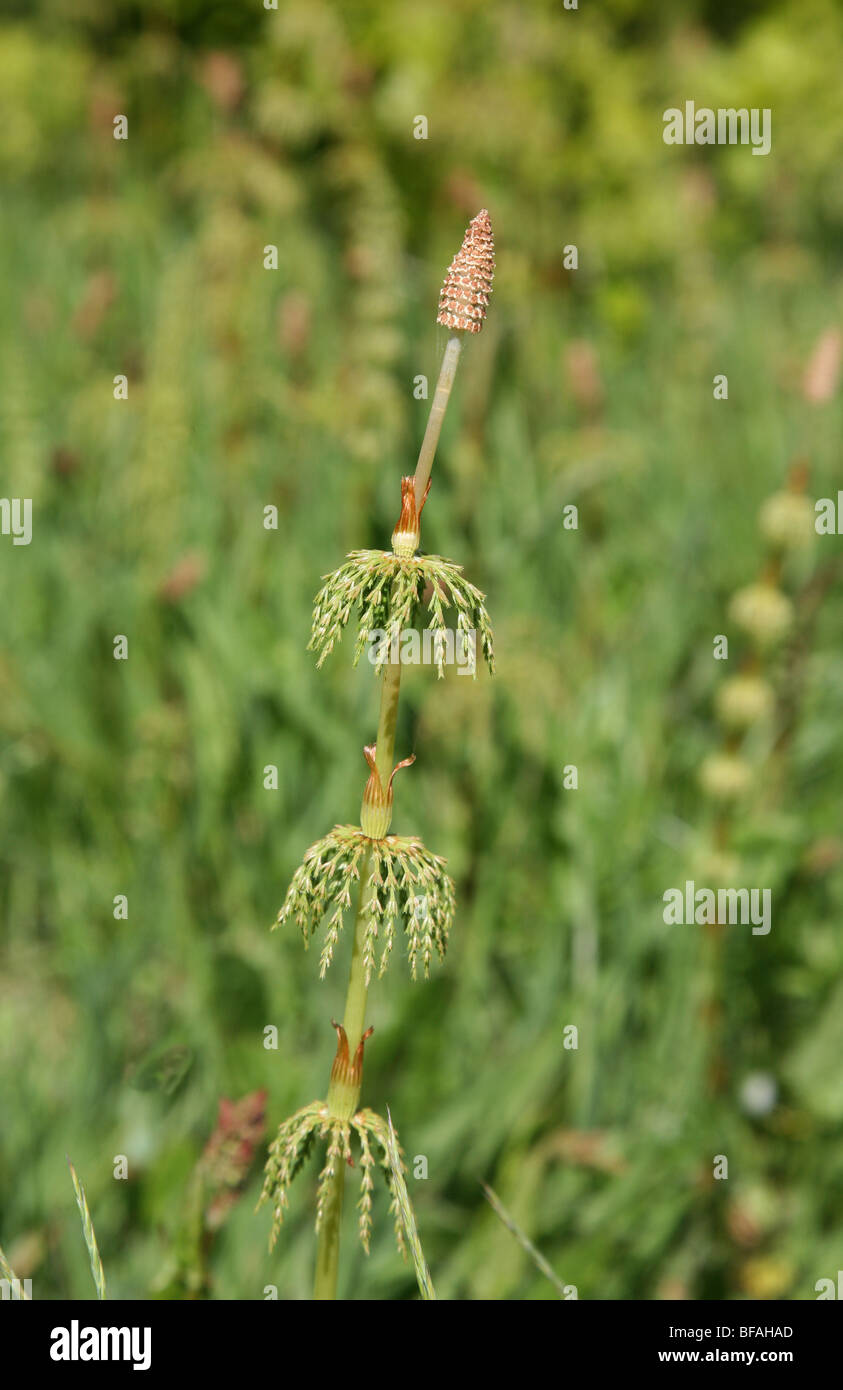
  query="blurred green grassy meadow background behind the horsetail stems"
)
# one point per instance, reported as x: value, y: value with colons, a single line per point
x: 250, y: 387
